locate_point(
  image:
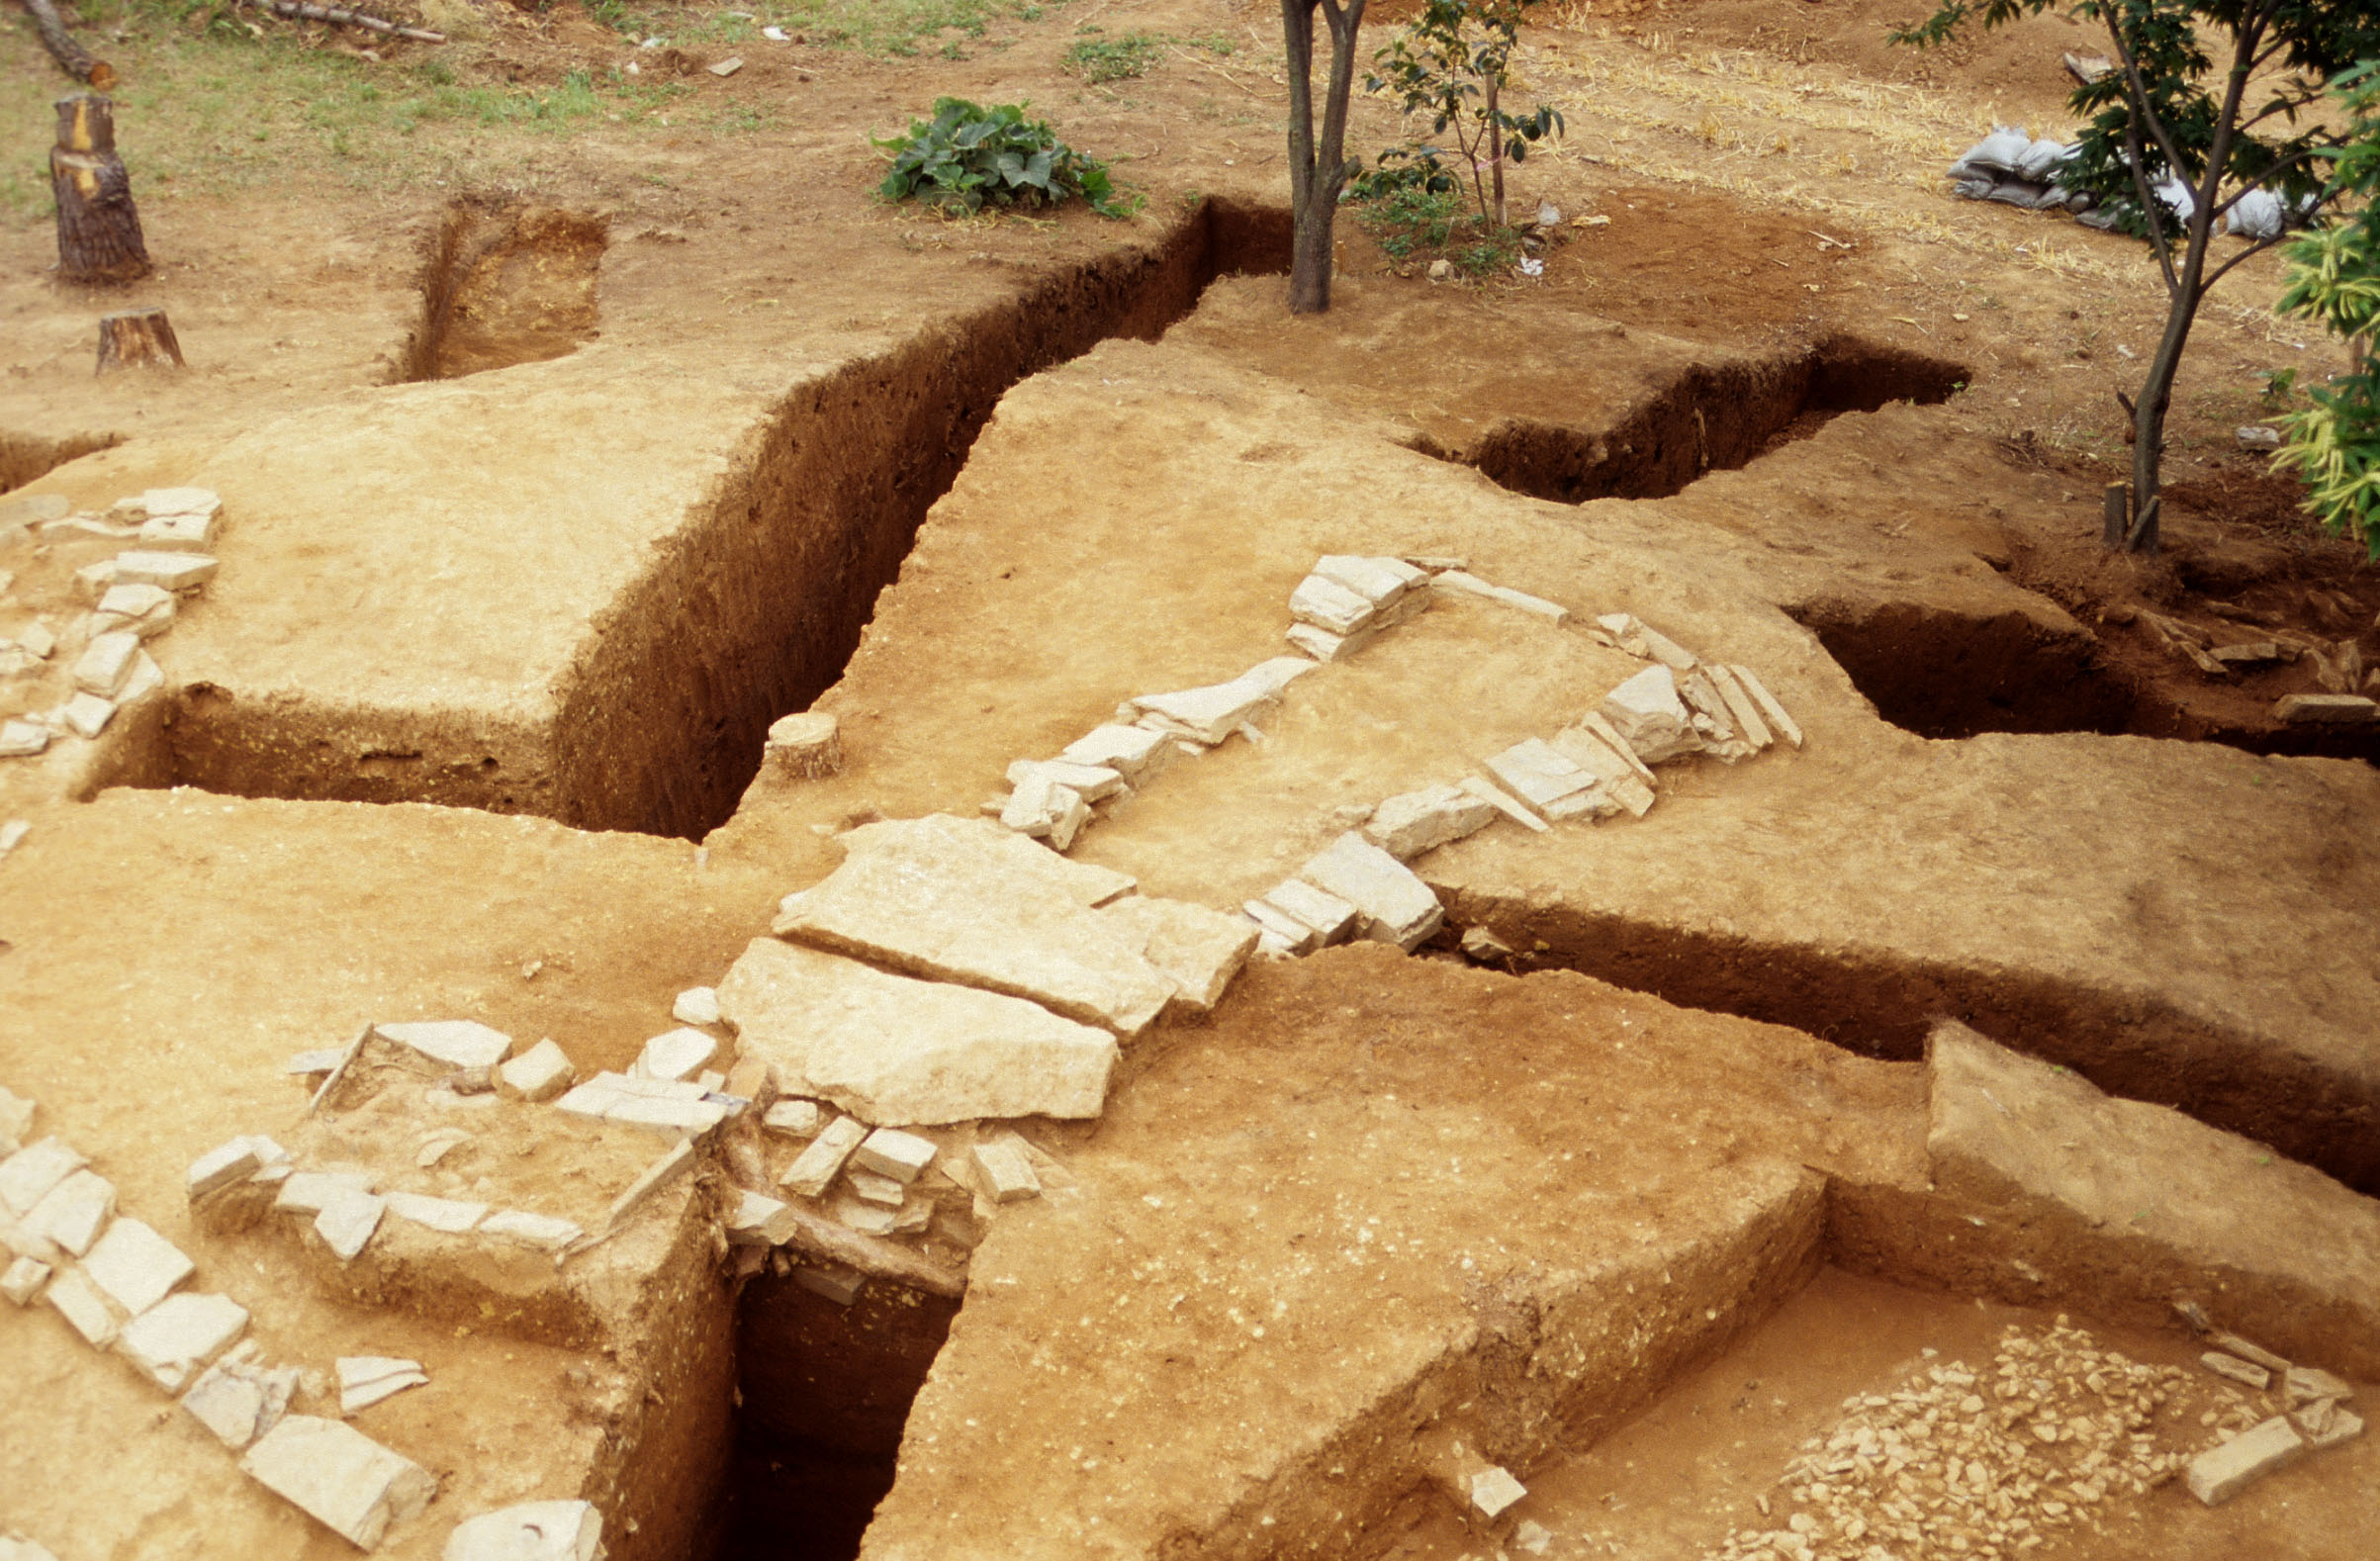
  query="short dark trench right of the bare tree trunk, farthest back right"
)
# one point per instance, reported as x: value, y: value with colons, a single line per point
x: 1708, y: 420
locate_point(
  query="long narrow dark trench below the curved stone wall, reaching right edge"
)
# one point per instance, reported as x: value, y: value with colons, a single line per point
x: 1884, y: 1005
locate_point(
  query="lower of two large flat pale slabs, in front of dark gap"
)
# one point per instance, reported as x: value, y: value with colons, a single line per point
x: 903, y: 1051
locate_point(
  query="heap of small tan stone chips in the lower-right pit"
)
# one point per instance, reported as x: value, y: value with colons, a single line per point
x: 2000, y: 1462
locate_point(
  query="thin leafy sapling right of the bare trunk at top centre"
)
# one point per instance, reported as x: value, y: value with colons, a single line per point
x: 1453, y: 63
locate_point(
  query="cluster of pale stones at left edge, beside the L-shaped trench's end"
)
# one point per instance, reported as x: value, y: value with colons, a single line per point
x: 134, y: 598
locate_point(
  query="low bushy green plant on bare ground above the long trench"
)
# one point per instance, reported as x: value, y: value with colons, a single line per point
x: 972, y: 156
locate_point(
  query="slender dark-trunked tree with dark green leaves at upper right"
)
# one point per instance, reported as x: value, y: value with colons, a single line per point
x: 2165, y: 115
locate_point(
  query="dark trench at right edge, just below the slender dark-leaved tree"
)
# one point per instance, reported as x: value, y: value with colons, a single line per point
x: 1948, y: 675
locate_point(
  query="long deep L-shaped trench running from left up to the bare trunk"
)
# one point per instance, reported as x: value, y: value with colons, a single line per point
x: 753, y: 608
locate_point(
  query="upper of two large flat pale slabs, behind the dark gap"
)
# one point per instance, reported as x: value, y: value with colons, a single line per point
x: 972, y: 903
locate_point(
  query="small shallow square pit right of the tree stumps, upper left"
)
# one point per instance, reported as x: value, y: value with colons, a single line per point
x: 506, y: 284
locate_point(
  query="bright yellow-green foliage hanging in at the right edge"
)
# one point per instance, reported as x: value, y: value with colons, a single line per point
x: 2336, y: 280
